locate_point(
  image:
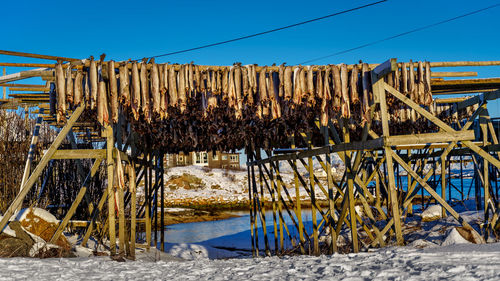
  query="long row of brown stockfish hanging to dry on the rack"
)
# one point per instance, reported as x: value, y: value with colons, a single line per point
x: 191, y: 107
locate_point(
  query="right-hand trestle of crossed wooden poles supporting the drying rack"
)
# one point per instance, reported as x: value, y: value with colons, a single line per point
x: 374, y: 160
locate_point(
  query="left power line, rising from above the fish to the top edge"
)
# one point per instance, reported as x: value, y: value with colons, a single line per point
x: 269, y: 31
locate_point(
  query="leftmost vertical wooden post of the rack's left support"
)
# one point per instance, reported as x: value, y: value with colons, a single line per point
x: 111, y: 192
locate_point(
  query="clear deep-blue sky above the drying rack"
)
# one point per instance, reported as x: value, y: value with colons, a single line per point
x: 135, y: 29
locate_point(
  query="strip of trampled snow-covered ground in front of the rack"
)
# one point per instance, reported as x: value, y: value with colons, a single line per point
x: 456, y: 262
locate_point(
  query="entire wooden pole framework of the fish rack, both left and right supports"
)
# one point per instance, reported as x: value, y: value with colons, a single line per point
x: 373, y: 159
